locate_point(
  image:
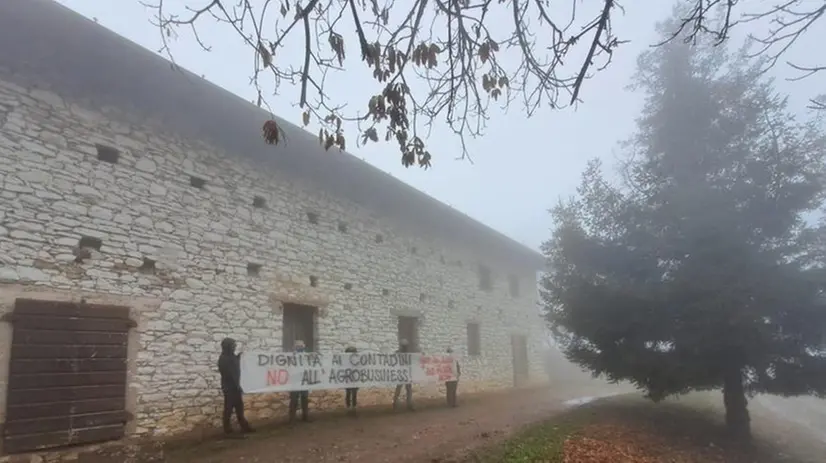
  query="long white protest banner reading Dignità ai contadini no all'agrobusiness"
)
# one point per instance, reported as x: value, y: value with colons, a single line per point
x: 281, y: 372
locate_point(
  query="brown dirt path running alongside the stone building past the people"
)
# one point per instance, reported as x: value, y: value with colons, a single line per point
x: 432, y: 433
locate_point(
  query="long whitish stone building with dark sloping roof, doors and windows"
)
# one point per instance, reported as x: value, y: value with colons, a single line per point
x: 142, y: 219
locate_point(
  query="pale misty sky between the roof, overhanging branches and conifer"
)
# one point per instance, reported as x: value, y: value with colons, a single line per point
x: 521, y: 166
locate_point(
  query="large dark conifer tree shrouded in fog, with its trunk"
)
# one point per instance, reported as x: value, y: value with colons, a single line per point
x: 696, y: 271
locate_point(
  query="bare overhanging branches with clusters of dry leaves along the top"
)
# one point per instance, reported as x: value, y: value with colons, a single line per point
x: 454, y: 48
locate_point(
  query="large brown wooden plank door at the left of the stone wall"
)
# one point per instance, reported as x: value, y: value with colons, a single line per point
x: 67, y: 375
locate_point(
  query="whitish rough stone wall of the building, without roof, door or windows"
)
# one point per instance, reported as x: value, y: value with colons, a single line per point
x: 145, y: 210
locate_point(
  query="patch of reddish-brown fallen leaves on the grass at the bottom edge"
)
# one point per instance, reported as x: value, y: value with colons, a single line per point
x: 618, y: 443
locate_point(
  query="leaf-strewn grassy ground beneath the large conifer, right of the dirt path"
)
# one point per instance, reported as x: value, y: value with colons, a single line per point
x: 630, y: 429
